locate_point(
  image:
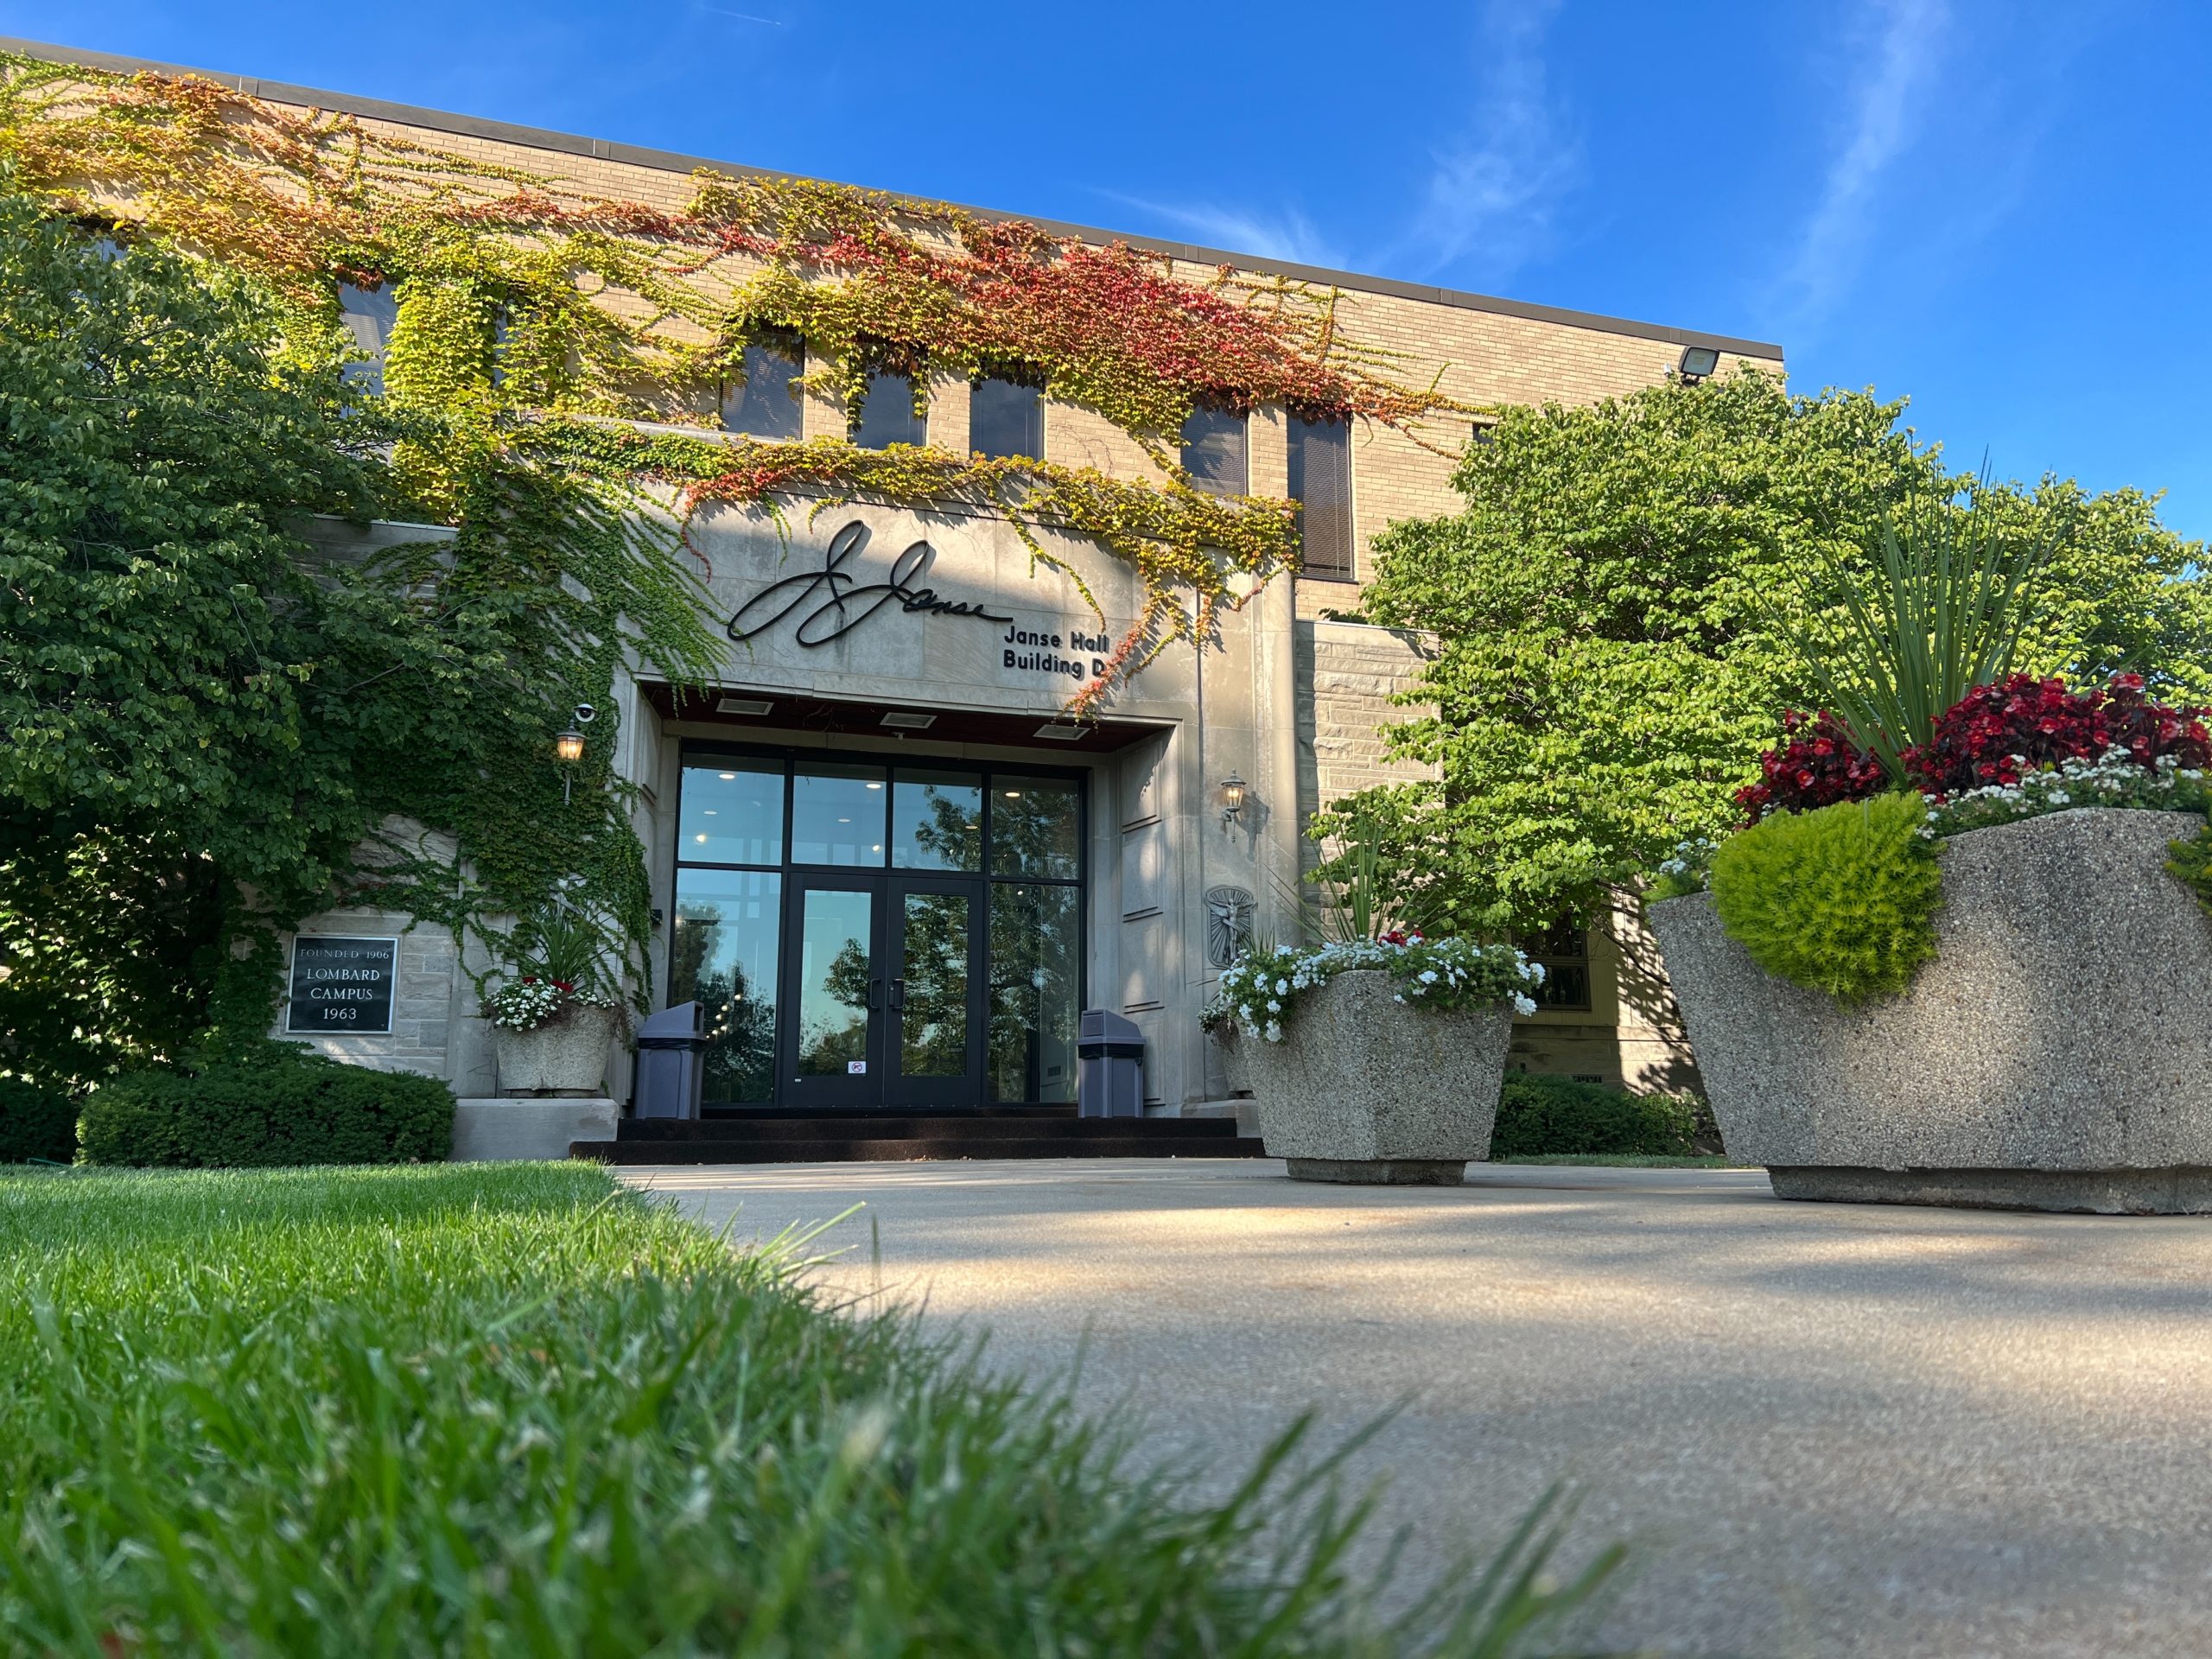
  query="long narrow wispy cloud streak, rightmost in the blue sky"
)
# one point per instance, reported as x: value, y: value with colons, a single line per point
x: 1890, y: 70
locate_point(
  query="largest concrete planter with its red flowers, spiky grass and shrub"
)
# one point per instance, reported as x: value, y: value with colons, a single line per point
x: 1961, y: 952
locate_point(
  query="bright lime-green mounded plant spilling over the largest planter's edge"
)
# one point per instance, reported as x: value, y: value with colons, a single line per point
x: 1841, y: 899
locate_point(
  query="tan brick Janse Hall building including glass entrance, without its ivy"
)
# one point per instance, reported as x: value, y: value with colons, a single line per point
x: 851, y: 784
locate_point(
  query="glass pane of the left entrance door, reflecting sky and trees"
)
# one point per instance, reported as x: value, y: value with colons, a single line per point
x: 833, y: 999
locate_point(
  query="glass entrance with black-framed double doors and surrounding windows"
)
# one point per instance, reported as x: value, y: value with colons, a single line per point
x: 879, y: 937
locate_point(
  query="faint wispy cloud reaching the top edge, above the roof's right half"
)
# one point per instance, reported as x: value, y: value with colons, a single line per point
x: 1496, y: 187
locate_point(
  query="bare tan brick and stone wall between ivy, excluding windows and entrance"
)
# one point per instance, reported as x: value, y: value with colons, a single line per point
x: 1284, y: 698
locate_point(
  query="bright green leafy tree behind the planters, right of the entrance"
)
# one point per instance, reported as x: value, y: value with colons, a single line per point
x: 1614, y: 623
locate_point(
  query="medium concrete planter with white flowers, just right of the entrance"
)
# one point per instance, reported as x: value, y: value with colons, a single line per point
x: 1377, y: 1061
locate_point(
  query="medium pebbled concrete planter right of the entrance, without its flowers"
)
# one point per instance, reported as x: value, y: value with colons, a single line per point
x: 1370, y: 1089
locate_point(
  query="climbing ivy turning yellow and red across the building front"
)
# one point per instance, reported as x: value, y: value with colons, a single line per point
x: 539, y: 324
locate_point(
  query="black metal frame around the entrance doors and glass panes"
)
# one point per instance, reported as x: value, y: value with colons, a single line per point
x: 881, y: 1087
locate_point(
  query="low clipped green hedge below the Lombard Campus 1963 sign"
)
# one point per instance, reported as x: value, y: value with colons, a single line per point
x: 269, y: 1107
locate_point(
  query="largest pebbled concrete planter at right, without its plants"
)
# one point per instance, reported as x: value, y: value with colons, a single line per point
x: 2054, y: 1056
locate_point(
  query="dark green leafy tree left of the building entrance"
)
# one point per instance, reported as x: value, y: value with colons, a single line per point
x: 211, y: 727
